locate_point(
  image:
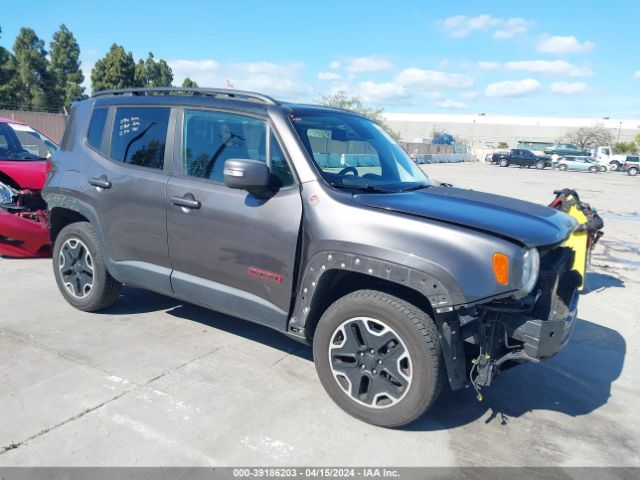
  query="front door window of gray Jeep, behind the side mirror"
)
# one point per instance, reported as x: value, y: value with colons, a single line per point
x: 211, y: 138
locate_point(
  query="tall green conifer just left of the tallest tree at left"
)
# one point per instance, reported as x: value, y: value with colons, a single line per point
x: 34, y: 82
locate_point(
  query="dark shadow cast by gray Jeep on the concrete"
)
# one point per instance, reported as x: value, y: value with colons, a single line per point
x: 575, y: 382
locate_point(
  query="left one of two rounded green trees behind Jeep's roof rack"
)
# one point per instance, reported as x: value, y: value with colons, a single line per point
x: 115, y: 70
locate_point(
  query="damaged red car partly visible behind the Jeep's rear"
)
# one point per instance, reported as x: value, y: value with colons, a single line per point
x: 24, y: 164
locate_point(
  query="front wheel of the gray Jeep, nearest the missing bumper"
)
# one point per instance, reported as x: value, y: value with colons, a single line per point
x: 416, y: 334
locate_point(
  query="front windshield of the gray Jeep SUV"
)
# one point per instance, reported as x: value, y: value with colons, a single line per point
x: 354, y: 152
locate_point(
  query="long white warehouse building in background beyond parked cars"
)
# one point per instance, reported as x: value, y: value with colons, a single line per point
x: 484, y: 131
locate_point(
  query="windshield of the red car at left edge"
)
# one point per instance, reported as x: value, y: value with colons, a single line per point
x: 21, y: 142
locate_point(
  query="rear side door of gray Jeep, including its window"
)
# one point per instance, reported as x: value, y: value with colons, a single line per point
x: 127, y: 184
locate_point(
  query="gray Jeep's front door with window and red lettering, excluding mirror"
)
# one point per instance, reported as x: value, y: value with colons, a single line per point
x: 230, y: 250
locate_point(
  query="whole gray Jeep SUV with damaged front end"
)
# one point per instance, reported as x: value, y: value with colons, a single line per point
x: 314, y: 222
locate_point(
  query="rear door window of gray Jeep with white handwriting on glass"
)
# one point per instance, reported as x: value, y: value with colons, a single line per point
x: 139, y: 136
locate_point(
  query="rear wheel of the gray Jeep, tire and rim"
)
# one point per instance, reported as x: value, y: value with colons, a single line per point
x: 84, y: 282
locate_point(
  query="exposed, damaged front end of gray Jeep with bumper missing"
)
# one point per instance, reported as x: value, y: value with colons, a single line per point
x: 533, y: 329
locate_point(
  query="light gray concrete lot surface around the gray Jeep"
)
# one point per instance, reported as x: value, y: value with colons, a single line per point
x: 155, y: 382
